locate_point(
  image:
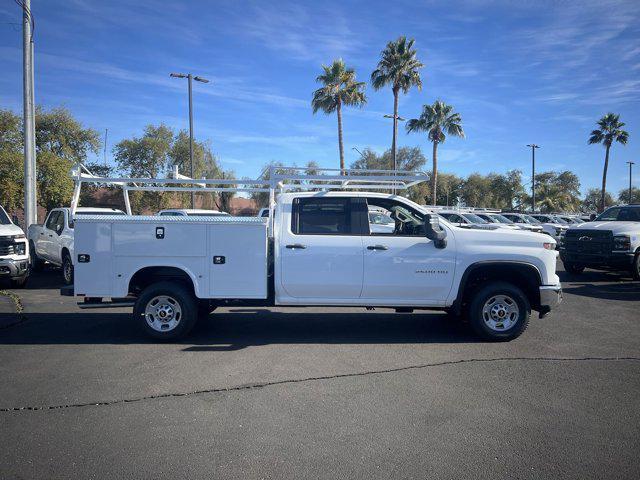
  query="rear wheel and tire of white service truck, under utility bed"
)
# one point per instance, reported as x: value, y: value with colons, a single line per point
x: 166, y: 311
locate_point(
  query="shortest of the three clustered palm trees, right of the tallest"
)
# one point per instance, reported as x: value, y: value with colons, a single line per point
x: 438, y: 120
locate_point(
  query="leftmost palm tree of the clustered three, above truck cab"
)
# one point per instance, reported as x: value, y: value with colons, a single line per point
x: 340, y: 88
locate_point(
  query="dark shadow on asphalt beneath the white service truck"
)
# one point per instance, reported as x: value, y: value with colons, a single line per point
x: 237, y: 330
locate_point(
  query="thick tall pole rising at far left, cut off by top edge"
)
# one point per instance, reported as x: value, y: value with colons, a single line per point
x: 30, y: 206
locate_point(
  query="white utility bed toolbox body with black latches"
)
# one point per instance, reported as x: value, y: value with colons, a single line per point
x: 226, y: 257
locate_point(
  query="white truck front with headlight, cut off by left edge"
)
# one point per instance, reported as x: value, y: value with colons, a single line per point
x: 14, y: 252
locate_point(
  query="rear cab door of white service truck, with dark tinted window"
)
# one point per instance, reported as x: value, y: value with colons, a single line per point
x: 321, y: 254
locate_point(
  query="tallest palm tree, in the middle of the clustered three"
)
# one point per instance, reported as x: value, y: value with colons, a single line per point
x: 398, y: 67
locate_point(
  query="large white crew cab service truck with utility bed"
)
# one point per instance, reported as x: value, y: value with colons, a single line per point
x: 315, y: 250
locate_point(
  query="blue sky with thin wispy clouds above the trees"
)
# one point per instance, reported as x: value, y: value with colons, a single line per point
x: 517, y: 72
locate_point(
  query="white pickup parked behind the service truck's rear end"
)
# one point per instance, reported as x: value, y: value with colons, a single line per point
x: 53, y: 241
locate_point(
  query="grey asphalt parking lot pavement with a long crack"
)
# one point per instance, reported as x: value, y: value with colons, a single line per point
x: 323, y: 393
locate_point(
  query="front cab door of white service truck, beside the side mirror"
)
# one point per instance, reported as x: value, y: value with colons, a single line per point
x: 404, y: 267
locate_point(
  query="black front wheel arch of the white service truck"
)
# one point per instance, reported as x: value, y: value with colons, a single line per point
x: 524, y: 275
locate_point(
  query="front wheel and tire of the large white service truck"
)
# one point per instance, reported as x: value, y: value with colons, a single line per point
x: 499, y: 312
